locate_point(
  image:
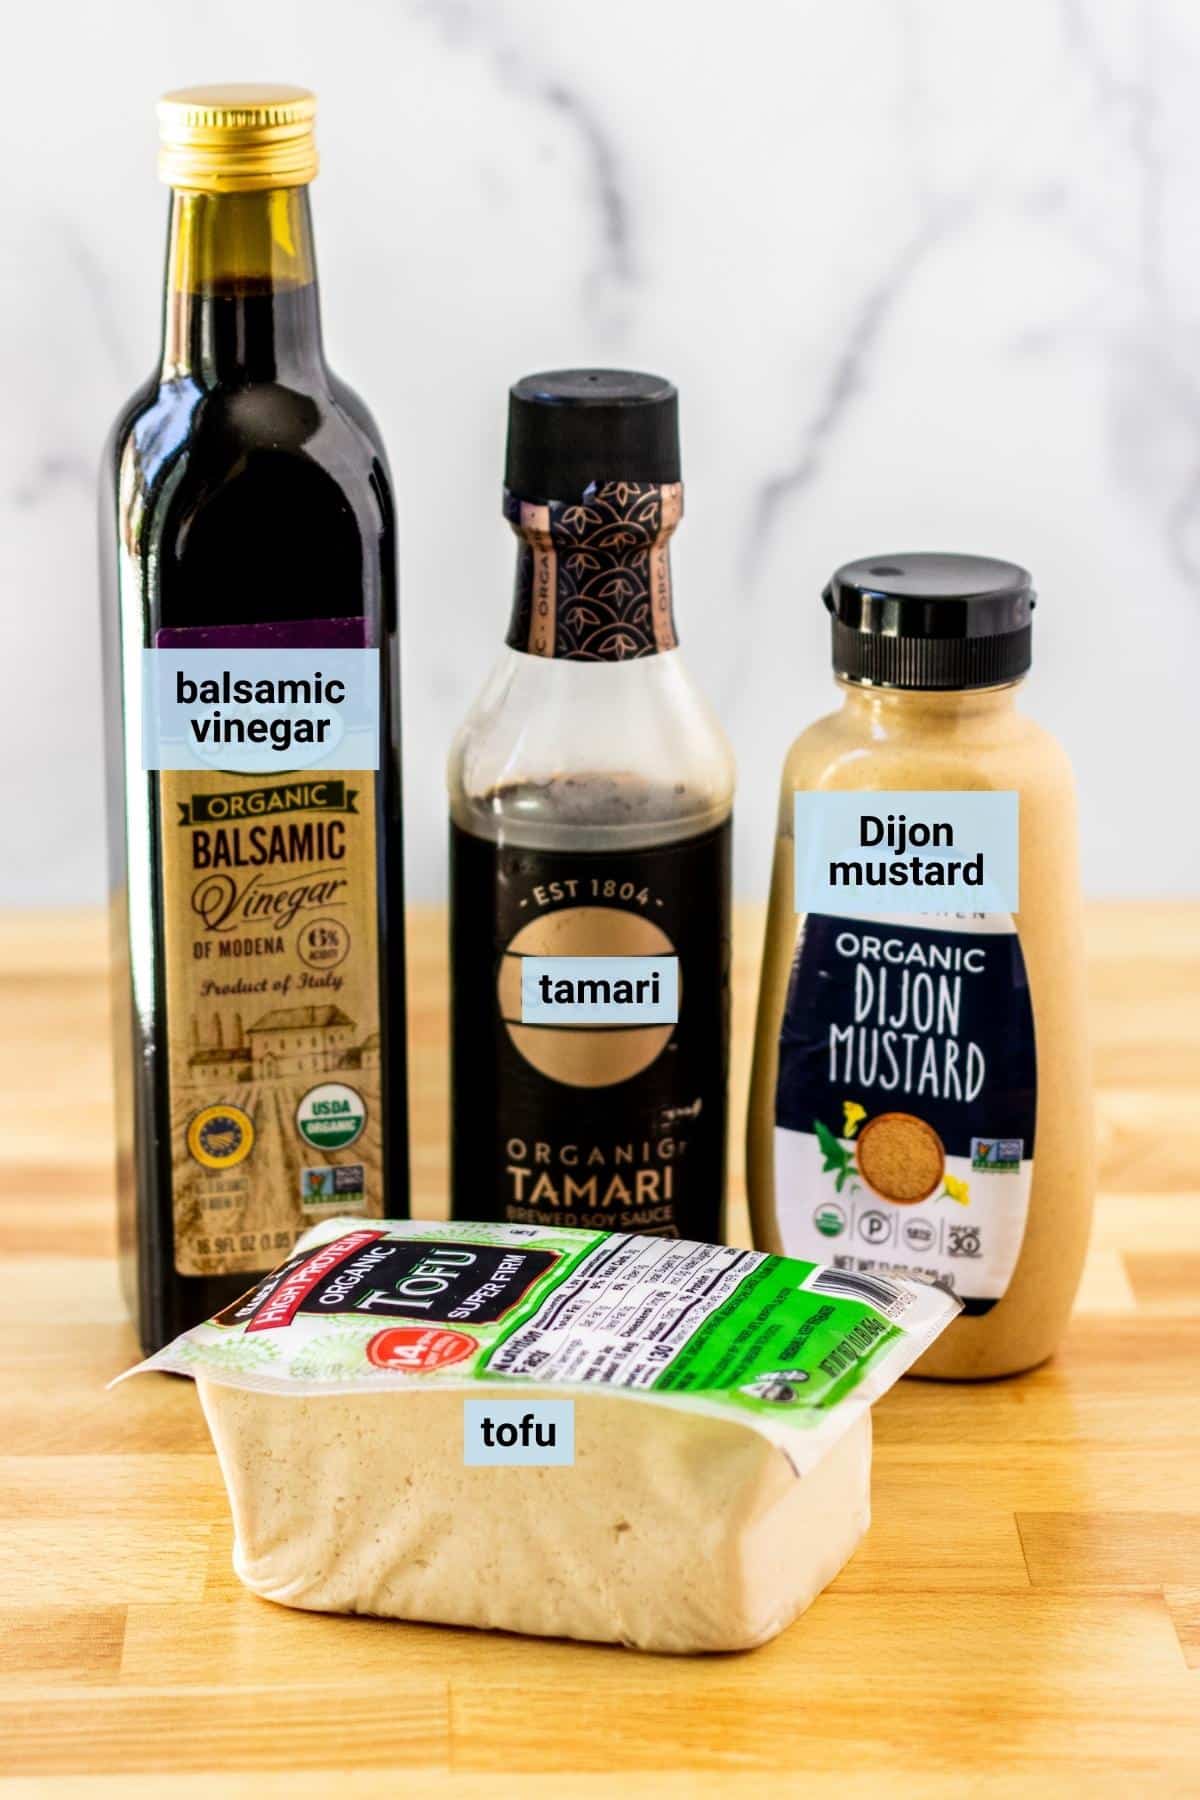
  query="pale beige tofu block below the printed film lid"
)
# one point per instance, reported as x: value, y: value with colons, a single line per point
x: 672, y: 1533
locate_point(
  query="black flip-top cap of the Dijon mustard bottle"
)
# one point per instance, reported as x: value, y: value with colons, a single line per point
x: 931, y: 620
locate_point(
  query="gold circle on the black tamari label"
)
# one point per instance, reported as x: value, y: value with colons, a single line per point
x: 584, y: 1056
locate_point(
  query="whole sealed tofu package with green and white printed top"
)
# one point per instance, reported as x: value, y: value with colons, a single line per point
x: 722, y: 1428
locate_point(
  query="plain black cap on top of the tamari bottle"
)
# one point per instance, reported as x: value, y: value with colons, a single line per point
x: 575, y: 427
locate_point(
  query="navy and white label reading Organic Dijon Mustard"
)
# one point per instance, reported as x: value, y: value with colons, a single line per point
x: 906, y: 1101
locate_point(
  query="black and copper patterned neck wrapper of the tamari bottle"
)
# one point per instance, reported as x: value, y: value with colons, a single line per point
x: 595, y: 575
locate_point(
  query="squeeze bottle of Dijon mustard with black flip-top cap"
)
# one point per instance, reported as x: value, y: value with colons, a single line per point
x: 922, y: 1084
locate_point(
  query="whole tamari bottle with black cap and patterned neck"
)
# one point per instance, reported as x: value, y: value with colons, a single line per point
x: 591, y: 796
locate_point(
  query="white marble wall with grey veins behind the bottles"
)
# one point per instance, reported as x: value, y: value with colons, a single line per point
x: 927, y: 274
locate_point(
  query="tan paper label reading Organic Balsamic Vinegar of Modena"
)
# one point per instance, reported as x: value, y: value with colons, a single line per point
x: 273, y: 973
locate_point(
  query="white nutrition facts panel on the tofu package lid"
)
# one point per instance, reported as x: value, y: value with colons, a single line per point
x: 625, y: 1311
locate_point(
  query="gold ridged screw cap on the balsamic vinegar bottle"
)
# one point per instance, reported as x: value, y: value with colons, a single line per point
x: 238, y: 136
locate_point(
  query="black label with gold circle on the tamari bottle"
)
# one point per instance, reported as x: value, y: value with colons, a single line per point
x: 596, y: 1126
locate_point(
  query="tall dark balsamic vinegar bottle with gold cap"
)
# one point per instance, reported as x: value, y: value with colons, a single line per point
x: 246, y: 503
